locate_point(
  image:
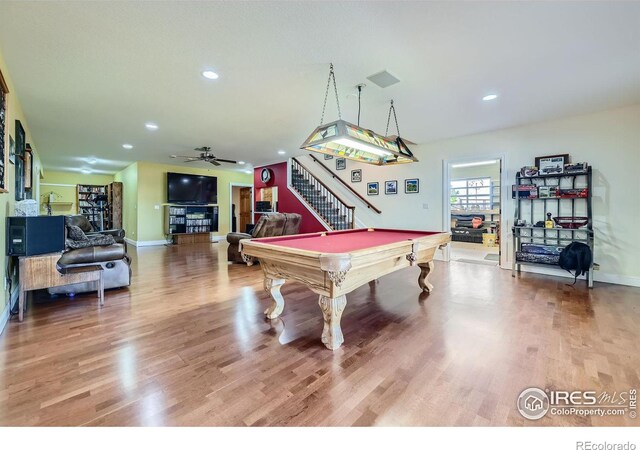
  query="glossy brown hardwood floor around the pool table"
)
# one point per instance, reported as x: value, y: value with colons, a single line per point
x: 187, y: 344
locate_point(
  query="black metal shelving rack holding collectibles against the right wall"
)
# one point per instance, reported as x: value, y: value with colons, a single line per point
x: 551, y: 210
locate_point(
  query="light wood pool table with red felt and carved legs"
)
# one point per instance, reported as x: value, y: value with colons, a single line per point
x: 334, y: 263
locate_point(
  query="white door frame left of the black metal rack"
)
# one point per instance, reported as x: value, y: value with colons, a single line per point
x: 446, y: 199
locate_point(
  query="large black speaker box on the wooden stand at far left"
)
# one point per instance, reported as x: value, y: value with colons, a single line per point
x: 34, y: 235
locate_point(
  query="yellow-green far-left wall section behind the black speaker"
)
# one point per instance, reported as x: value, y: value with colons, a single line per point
x: 64, y: 184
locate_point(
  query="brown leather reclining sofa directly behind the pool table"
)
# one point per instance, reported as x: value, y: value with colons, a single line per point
x: 269, y: 225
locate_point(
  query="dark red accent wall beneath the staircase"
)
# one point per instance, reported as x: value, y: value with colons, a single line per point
x: 287, y: 202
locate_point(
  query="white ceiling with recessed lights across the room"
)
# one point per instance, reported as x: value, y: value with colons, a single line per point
x: 89, y: 75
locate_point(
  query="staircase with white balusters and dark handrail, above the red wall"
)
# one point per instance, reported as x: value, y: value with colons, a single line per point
x: 320, y: 198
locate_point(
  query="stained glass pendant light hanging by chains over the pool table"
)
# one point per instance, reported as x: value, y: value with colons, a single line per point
x: 346, y: 140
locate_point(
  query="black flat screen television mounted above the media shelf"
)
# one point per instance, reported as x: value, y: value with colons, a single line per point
x: 191, y: 189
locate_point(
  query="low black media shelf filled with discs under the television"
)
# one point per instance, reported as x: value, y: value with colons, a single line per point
x: 181, y: 219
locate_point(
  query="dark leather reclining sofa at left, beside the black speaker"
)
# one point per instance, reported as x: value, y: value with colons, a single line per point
x: 113, y: 258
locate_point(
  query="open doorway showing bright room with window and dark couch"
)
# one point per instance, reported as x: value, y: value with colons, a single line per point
x: 473, y: 209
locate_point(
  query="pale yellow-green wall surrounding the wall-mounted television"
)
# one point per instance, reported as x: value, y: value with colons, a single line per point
x: 150, y: 184
